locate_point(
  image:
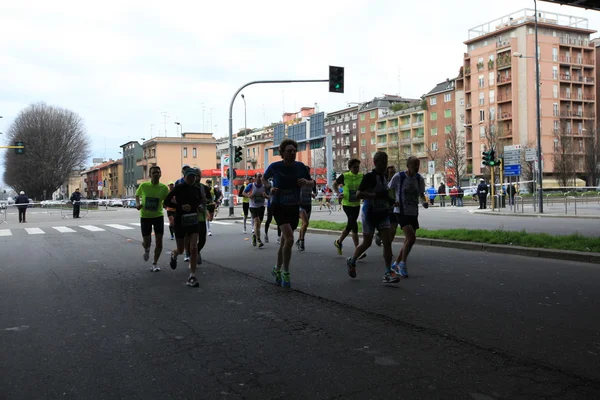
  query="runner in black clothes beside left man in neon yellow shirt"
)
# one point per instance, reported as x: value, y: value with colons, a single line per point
x: 190, y: 200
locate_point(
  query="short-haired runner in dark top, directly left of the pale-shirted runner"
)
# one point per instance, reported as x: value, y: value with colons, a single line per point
x: 375, y: 216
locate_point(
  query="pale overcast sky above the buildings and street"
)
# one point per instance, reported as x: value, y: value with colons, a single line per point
x: 131, y: 69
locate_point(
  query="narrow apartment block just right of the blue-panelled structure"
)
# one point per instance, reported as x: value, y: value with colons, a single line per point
x: 342, y: 125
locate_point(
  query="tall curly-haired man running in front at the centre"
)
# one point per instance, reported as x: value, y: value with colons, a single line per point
x: 288, y: 176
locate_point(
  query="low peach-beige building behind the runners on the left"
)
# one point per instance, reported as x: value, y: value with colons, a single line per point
x: 170, y: 154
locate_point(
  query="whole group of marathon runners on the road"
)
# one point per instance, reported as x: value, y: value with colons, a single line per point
x: 286, y: 191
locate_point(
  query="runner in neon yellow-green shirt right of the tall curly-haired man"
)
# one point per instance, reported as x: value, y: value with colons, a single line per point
x: 351, y: 204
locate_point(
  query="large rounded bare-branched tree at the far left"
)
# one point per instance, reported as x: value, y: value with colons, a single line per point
x: 55, y: 144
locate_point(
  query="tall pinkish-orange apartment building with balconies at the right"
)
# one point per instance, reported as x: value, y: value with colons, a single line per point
x: 500, y: 85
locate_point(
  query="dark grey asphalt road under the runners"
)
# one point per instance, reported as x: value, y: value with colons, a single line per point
x: 83, y: 317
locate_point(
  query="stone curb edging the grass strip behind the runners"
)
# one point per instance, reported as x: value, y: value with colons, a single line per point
x: 567, y: 255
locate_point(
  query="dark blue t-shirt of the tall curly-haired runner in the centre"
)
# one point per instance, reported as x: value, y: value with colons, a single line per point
x: 285, y: 179
